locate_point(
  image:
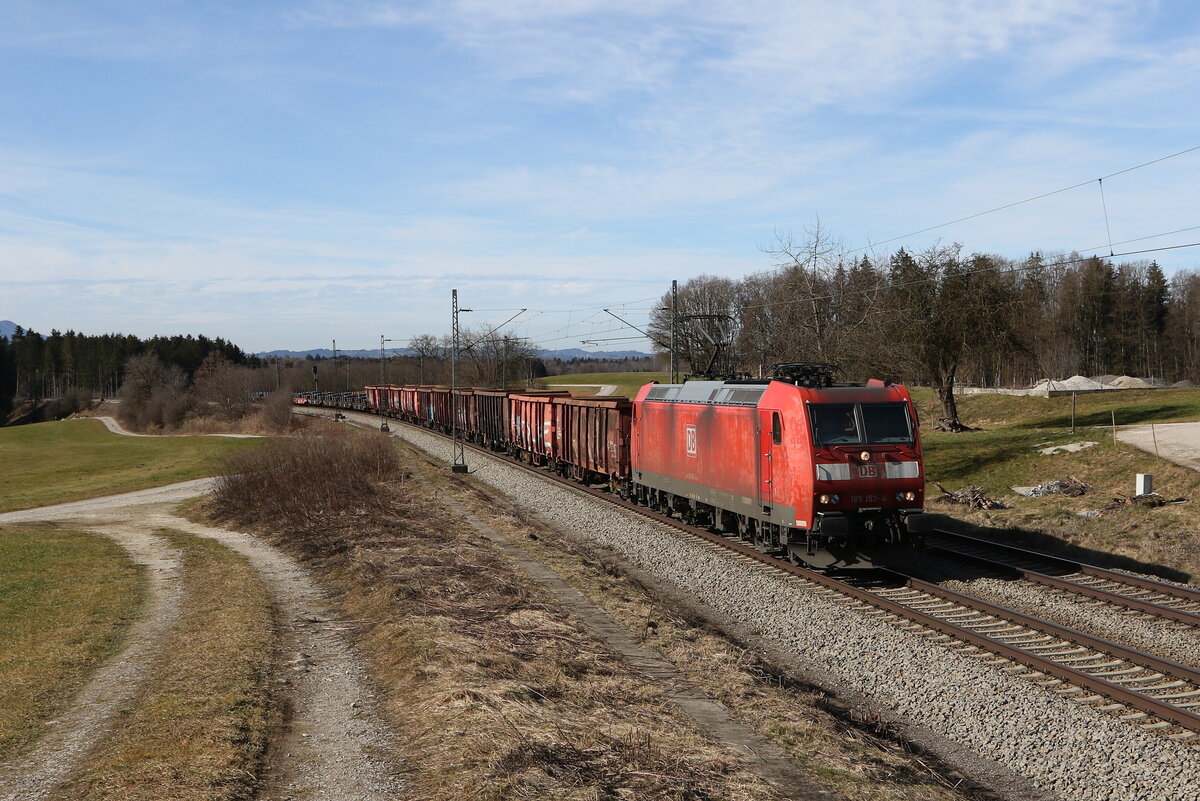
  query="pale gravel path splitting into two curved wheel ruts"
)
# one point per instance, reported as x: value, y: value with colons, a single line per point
x: 332, y: 751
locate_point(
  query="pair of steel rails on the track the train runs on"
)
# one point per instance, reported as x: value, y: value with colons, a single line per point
x: 1133, y: 698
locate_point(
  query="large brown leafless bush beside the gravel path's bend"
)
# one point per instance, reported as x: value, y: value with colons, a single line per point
x: 299, y: 484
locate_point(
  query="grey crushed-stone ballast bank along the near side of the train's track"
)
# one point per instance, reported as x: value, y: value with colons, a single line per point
x: 1064, y: 748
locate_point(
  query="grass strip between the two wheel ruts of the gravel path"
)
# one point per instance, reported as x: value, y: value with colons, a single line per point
x: 199, y: 731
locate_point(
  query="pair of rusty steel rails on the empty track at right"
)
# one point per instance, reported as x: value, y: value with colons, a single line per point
x: 1181, y: 594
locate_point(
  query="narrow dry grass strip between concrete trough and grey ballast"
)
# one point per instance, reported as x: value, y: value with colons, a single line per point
x: 853, y: 751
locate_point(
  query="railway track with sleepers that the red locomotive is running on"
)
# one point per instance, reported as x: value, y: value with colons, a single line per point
x: 1142, y: 689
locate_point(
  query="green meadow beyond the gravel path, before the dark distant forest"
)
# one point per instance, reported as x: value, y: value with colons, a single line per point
x: 58, y: 462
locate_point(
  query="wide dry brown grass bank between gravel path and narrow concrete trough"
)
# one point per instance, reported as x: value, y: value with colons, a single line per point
x: 496, y: 691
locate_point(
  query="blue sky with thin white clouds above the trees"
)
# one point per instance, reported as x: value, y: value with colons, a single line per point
x: 285, y: 174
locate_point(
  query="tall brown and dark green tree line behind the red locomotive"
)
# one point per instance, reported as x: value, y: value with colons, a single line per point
x: 940, y: 317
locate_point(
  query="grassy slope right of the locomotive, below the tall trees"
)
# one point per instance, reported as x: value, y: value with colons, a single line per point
x: 1005, y: 454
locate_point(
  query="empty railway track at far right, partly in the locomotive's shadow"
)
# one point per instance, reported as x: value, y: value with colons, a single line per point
x: 1144, y: 595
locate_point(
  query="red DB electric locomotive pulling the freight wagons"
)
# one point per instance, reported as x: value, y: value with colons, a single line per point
x: 827, y: 473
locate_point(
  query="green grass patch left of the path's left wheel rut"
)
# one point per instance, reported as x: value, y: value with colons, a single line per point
x: 67, y: 599
